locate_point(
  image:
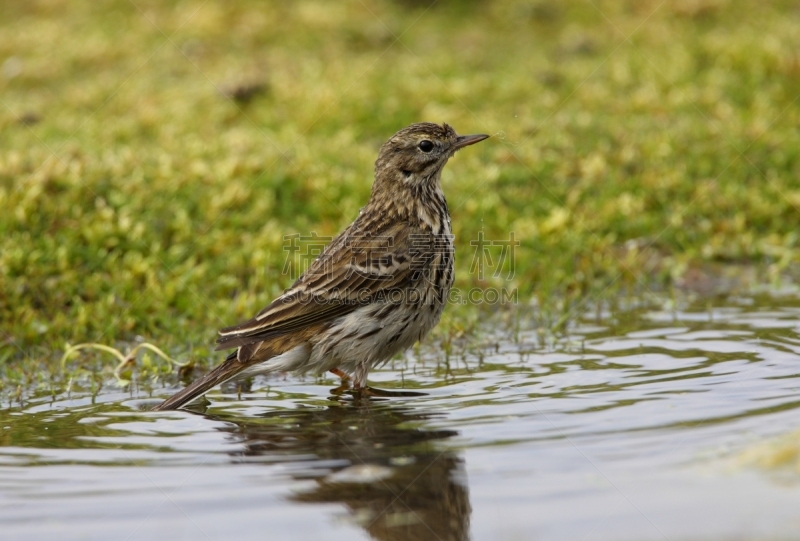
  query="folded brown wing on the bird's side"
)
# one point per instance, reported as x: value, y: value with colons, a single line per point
x: 349, y: 273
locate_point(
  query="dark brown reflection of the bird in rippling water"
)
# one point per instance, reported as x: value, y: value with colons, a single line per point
x: 396, y: 478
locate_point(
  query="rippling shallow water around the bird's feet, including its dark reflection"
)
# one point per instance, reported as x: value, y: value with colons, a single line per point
x: 634, y: 426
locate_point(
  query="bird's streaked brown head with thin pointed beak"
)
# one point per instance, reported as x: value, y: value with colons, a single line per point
x: 416, y: 155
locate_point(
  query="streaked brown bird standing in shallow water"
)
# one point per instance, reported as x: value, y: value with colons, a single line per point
x: 378, y: 288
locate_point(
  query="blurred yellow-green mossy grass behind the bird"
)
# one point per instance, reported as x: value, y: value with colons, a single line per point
x: 154, y: 155
